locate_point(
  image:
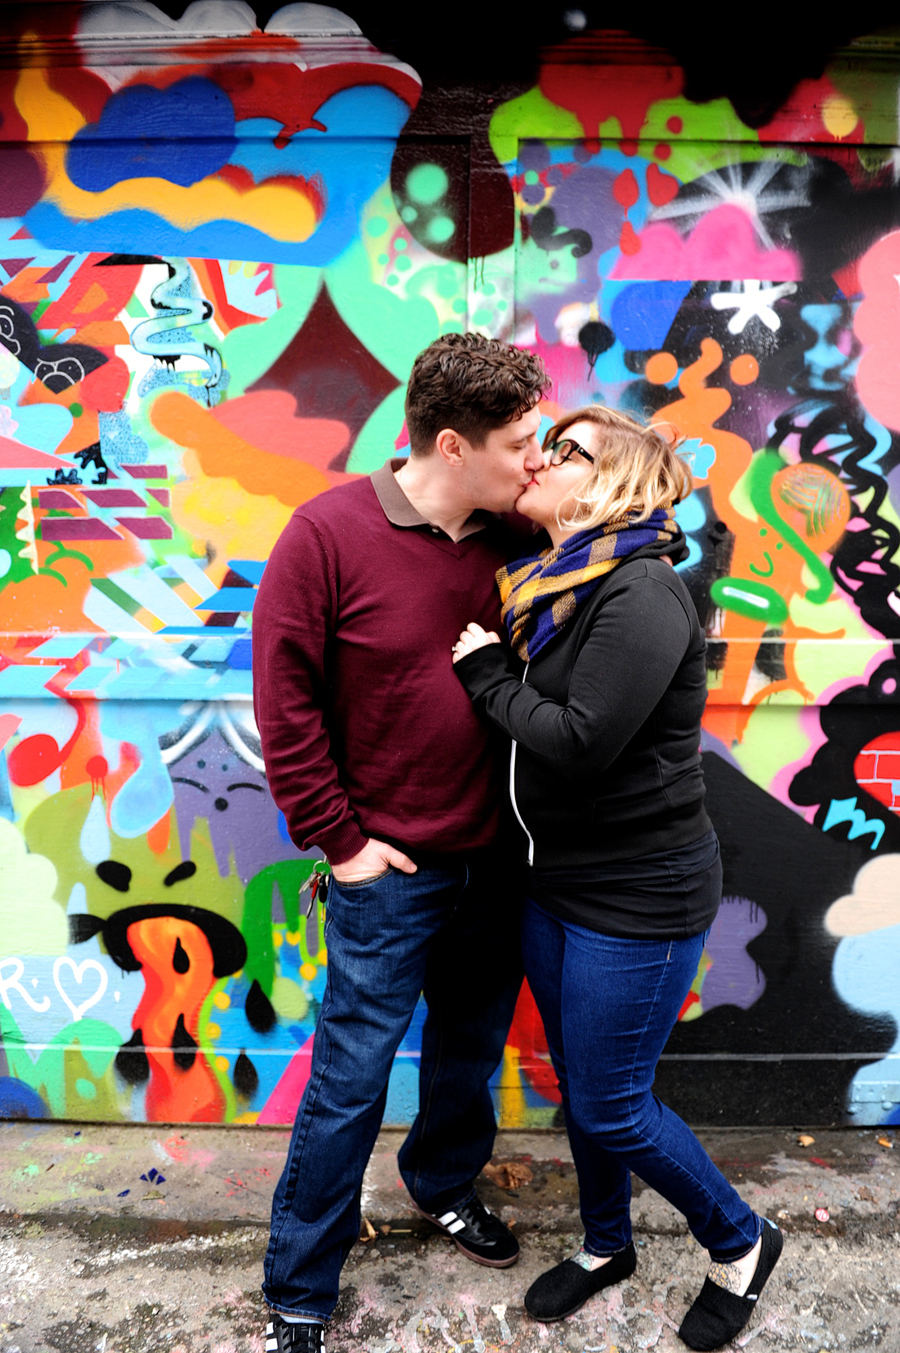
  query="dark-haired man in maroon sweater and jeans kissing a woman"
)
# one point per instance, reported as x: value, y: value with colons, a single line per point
x: 376, y: 756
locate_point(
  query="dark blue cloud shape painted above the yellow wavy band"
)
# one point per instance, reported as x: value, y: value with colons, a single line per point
x: 183, y: 135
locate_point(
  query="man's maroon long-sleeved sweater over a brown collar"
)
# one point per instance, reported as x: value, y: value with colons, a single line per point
x: 366, y: 730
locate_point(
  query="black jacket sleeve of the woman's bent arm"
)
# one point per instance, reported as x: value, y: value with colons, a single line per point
x: 631, y: 654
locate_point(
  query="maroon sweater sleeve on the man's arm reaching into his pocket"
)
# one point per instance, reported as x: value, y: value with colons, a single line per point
x: 294, y: 620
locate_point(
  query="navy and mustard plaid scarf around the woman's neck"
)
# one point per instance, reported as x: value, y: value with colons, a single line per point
x: 542, y: 593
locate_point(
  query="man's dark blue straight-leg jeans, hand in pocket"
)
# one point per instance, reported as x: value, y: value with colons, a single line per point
x: 450, y: 932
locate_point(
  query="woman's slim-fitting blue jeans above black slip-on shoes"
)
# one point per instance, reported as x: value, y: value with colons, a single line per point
x: 608, y: 1007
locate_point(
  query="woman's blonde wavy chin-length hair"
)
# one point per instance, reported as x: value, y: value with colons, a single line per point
x: 635, y: 470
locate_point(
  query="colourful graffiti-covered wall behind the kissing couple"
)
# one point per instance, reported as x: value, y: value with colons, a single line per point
x: 220, y: 251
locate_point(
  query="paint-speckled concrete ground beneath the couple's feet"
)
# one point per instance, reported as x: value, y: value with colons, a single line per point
x: 129, y: 1240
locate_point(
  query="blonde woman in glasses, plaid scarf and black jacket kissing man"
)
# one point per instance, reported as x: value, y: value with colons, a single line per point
x: 626, y: 877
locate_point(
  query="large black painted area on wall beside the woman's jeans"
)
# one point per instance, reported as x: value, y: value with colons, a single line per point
x: 794, y: 873
